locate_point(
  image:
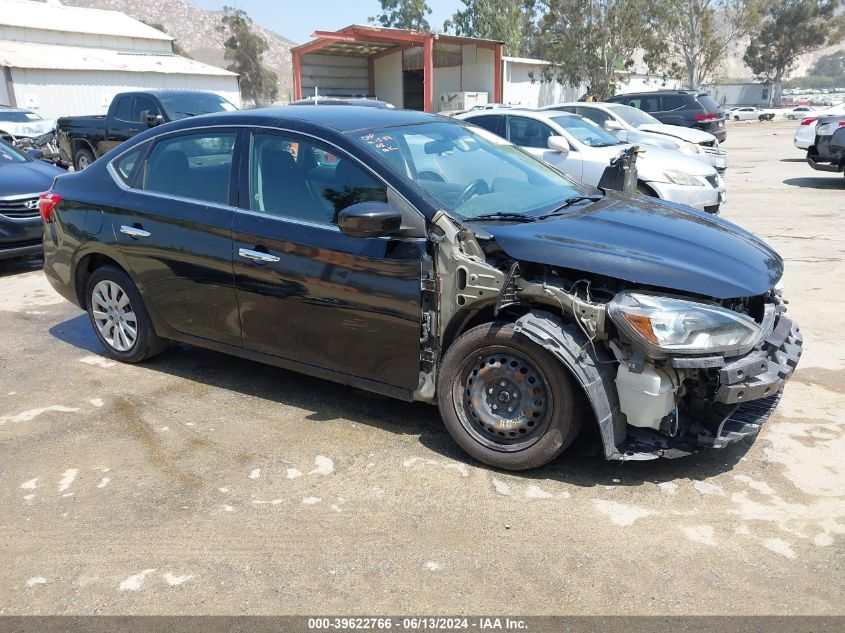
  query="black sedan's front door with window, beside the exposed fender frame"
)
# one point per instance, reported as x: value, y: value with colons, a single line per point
x: 308, y: 292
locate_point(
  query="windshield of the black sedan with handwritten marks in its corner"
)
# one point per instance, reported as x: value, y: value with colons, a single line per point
x: 469, y: 171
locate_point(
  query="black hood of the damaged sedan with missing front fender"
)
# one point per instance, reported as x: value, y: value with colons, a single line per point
x: 649, y: 242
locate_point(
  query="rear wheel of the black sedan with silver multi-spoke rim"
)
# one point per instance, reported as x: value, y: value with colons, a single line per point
x: 119, y: 317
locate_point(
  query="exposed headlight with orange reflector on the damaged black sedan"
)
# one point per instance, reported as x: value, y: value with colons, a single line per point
x: 665, y: 325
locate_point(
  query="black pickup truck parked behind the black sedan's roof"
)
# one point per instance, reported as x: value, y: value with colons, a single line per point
x: 85, y: 138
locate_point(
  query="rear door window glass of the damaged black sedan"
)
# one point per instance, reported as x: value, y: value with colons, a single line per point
x: 196, y: 166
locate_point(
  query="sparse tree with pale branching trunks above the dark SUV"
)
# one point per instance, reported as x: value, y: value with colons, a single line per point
x: 696, y: 35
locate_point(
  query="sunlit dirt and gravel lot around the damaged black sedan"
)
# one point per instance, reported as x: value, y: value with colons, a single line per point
x: 199, y: 483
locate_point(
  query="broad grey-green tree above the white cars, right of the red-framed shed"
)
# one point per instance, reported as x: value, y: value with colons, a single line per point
x: 595, y: 41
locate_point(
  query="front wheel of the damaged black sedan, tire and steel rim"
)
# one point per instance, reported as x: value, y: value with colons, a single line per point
x: 506, y: 400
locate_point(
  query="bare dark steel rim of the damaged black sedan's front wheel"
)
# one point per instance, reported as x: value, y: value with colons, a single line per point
x: 506, y: 400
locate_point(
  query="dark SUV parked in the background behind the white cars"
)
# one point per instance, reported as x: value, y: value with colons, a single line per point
x: 687, y: 108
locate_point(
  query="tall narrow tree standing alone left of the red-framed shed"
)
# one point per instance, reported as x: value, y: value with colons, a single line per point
x: 245, y: 48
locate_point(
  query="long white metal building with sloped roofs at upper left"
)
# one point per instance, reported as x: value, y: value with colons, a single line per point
x: 62, y: 61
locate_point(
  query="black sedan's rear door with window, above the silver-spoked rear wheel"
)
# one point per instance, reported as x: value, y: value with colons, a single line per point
x: 174, y: 228
